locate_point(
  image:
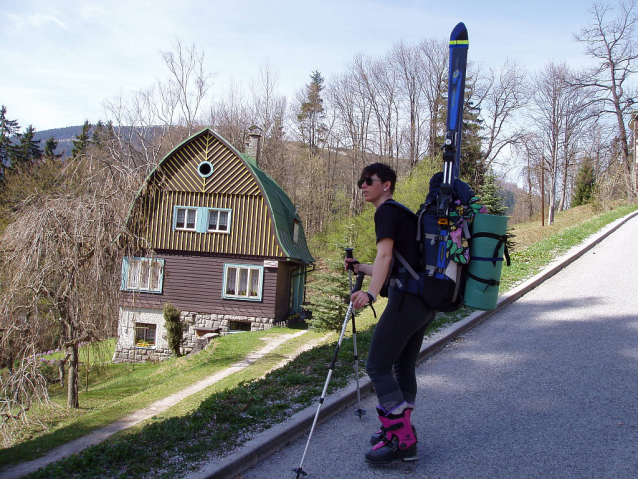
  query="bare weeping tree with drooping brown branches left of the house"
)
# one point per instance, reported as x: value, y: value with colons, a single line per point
x: 61, y: 261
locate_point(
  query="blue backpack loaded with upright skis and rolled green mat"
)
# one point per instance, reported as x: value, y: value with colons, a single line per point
x: 446, y: 219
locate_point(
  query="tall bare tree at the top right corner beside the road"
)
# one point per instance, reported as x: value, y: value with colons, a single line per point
x: 612, y: 43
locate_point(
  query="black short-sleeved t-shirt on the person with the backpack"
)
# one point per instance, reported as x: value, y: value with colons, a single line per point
x: 392, y: 221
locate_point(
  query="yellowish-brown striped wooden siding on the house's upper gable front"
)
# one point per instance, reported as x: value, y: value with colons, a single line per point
x: 231, y: 186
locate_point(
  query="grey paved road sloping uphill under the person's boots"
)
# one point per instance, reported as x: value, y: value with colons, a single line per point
x: 545, y: 388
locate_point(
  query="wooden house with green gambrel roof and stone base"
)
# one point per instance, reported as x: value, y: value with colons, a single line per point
x: 222, y: 243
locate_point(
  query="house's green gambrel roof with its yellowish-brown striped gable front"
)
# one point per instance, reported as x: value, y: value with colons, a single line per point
x: 264, y: 211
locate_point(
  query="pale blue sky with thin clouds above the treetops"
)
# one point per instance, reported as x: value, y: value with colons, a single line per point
x: 60, y: 60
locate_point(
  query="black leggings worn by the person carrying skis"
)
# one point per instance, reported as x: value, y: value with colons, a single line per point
x: 396, y: 343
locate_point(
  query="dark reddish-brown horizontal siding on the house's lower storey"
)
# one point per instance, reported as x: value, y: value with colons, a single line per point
x: 194, y: 283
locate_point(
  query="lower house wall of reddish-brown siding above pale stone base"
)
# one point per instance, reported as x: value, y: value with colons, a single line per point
x: 193, y: 284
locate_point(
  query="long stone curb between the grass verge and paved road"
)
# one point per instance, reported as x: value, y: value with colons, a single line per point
x: 270, y: 441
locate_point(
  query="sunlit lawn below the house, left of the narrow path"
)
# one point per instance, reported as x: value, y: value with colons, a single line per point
x: 120, y: 389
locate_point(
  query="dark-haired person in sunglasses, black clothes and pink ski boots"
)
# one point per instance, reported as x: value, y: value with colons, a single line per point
x: 399, y: 333
